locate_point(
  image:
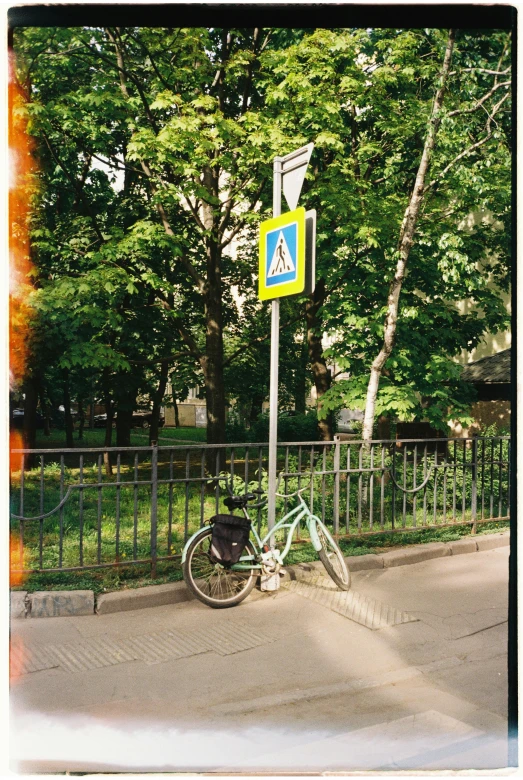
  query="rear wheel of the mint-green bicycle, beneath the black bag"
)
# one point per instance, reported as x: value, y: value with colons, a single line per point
x: 216, y: 585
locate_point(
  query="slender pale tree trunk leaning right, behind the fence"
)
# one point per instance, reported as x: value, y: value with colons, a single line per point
x: 405, y: 242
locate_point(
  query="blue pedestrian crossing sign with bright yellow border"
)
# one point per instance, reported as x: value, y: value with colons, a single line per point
x: 282, y: 256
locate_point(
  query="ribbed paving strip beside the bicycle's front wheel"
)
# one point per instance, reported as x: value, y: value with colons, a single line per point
x: 351, y: 604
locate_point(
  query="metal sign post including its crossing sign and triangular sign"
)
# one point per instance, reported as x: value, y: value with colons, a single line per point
x: 277, y: 256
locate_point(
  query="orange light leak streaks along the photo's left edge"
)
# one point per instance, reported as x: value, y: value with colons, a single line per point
x: 21, y: 189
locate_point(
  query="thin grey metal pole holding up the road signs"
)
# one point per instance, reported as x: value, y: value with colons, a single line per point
x: 273, y: 391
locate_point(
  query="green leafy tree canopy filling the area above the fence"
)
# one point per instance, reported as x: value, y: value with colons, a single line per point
x: 148, y: 175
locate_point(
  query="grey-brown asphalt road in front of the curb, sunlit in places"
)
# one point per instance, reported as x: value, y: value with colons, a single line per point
x: 280, y: 683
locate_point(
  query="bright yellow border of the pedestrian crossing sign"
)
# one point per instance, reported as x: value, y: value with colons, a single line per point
x: 286, y: 288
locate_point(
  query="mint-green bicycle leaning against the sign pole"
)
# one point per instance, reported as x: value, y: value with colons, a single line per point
x: 221, y: 586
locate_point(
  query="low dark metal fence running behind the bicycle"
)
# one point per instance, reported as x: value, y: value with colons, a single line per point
x: 77, y: 509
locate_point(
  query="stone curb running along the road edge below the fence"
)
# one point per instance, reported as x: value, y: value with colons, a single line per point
x: 61, y: 603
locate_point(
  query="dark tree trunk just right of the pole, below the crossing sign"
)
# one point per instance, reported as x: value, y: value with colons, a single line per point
x: 320, y: 372
